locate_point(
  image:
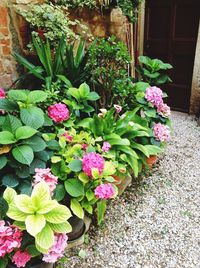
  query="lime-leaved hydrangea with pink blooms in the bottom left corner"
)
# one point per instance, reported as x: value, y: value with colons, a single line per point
x: 34, y: 228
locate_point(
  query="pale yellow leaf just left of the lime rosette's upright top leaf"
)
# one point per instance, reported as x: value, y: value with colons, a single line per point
x: 23, y: 203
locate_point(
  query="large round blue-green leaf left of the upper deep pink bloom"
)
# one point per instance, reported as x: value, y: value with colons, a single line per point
x: 32, y: 116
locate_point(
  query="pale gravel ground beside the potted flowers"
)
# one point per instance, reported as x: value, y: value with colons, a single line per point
x: 155, y: 224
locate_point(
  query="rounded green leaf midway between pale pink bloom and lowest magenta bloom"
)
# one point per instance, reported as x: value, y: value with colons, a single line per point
x: 74, y: 187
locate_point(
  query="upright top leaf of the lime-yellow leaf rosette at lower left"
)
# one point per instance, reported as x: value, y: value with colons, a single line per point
x: 40, y: 195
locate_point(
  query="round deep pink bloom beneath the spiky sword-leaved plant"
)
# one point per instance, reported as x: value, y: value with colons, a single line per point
x: 58, y: 112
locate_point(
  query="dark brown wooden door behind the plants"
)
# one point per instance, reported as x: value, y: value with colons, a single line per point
x: 171, y: 28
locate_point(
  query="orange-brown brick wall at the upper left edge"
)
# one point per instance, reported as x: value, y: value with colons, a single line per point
x: 7, y: 64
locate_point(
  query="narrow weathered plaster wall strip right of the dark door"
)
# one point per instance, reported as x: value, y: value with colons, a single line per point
x: 195, y: 94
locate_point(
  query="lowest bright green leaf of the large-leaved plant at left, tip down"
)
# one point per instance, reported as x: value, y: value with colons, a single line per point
x: 23, y: 154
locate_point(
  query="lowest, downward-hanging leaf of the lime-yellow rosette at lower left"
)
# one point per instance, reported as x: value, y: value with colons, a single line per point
x: 45, y: 239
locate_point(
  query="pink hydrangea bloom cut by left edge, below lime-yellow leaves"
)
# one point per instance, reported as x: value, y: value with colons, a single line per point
x: 10, y: 238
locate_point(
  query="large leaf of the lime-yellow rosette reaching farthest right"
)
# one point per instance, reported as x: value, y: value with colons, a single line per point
x: 59, y: 214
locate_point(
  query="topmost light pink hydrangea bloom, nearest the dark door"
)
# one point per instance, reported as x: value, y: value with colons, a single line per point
x: 154, y: 95
